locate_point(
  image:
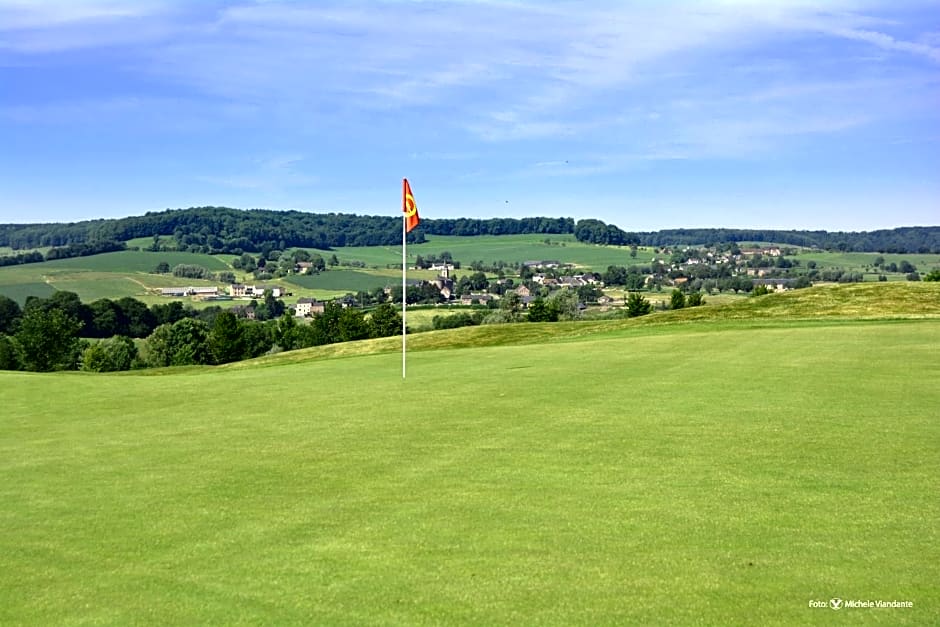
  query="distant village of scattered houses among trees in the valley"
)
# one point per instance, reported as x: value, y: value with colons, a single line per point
x: 690, y: 269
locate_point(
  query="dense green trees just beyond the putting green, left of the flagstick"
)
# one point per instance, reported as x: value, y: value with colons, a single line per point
x: 62, y: 333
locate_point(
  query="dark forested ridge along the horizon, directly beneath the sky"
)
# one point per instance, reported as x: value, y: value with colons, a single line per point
x: 234, y: 231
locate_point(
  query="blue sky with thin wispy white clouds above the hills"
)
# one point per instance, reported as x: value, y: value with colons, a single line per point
x: 649, y: 115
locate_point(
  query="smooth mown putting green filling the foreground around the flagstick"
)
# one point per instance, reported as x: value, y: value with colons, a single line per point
x: 650, y: 474
